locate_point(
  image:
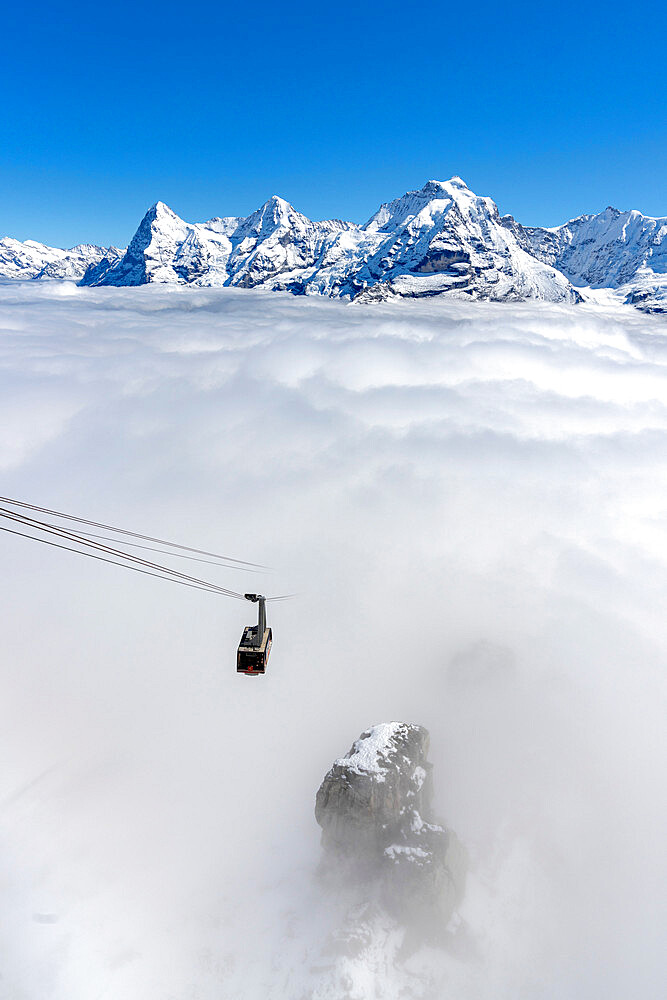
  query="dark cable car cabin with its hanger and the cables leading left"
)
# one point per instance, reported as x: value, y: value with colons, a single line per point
x: 256, y: 641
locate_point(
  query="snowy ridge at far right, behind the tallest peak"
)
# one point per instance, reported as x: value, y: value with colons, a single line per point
x: 620, y: 250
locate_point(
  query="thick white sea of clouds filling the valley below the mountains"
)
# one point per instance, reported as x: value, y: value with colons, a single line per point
x: 470, y: 502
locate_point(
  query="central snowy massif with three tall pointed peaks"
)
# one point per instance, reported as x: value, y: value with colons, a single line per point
x: 442, y: 238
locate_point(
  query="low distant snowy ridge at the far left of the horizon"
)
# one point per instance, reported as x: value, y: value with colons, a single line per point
x: 32, y: 260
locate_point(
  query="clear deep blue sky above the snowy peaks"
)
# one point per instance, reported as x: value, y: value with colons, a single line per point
x: 552, y: 109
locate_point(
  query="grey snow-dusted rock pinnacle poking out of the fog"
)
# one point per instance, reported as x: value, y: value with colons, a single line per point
x: 375, y: 810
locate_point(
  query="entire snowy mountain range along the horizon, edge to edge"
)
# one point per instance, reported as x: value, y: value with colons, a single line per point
x: 440, y: 239
